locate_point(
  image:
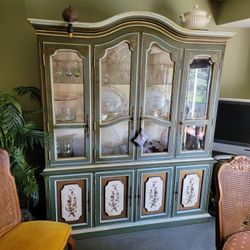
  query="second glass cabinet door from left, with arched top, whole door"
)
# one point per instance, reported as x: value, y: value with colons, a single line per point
x: 116, y: 67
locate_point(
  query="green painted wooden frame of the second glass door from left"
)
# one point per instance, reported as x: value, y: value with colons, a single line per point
x: 100, y: 51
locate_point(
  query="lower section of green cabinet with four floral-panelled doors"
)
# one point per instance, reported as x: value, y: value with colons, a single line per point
x: 130, y: 200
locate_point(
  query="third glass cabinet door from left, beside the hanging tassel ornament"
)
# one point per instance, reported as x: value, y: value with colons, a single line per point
x: 160, y: 76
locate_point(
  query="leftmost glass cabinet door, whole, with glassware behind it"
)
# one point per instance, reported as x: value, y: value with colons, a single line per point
x: 68, y: 96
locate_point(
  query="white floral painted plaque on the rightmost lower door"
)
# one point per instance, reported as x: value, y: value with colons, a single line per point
x: 190, y: 190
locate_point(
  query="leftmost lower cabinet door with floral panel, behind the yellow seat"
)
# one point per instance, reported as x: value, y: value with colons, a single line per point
x: 72, y: 199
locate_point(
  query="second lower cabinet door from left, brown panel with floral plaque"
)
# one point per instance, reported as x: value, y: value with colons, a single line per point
x: 114, y: 197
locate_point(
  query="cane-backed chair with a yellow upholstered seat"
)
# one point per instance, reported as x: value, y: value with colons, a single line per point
x: 31, y: 235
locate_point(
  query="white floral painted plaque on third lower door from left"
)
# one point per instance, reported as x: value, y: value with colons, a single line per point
x: 153, y: 194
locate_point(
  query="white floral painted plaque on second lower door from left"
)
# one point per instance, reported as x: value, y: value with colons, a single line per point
x: 114, y: 195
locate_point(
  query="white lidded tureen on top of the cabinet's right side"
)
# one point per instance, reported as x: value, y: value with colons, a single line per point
x: 196, y: 19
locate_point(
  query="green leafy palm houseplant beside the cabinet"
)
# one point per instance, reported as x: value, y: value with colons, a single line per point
x: 19, y: 137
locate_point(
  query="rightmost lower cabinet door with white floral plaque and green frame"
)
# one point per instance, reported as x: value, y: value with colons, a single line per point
x: 191, y: 189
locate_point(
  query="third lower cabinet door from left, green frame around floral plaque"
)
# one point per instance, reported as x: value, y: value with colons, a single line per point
x: 154, y: 193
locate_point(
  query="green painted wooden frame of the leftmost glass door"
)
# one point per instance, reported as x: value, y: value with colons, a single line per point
x: 48, y: 50
